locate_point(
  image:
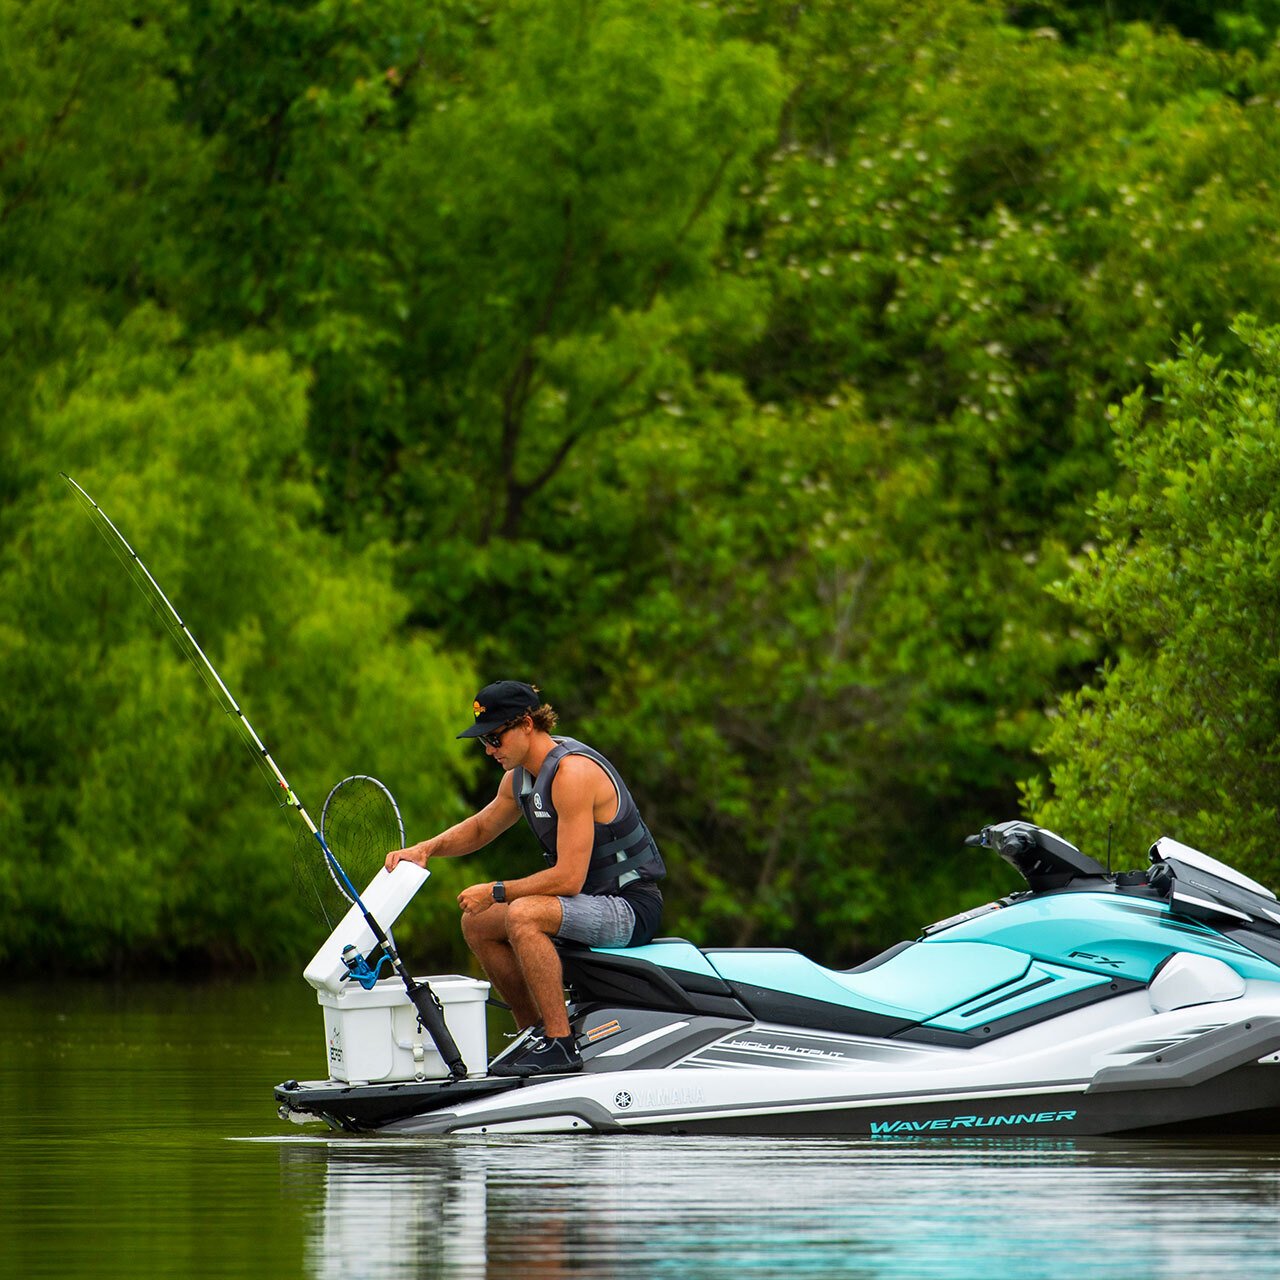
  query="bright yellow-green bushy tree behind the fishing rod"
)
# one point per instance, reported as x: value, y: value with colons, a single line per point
x: 132, y: 825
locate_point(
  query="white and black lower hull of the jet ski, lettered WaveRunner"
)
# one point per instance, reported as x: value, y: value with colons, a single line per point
x: 1116, y: 1075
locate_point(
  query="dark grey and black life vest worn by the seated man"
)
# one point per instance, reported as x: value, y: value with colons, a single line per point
x: 623, y: 852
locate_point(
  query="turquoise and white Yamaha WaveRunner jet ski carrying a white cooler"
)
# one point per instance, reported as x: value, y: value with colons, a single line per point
x: 1087, y: 1004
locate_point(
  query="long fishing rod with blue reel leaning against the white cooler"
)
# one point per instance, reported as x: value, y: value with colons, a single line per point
x: 427, y: 1003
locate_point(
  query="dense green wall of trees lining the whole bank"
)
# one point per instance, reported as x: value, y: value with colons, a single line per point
x: 737, y: 373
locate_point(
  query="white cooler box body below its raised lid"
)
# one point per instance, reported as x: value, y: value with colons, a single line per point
x: 373, y: 1036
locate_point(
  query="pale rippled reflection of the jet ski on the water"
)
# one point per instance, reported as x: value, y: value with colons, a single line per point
x: 632, y: 1206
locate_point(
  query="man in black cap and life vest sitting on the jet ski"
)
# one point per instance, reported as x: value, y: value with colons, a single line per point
x: 600, y: 885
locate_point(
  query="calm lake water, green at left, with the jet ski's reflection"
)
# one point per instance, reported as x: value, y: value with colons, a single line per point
x: 141, y: 1140
